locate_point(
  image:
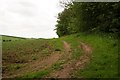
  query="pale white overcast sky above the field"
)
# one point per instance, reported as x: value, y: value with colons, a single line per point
x: 29, y: 18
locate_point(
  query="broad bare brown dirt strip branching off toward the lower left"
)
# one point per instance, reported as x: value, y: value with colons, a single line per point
x: 36, y: 66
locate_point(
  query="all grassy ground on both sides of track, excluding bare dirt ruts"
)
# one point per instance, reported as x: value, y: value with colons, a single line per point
x: 23, y: 52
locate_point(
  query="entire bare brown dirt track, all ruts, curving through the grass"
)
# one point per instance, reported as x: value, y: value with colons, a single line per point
x: 53, y: 58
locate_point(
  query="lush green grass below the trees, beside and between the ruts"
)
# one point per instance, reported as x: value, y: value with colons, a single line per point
x: 104, y: 60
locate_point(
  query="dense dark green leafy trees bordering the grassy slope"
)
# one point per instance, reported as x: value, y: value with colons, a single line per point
x: 97, y: 17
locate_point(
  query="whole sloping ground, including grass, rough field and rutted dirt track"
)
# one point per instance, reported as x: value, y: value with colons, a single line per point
x: 76, y: 55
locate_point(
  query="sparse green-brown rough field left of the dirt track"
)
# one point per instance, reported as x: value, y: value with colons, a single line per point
x: 20, y: 52
